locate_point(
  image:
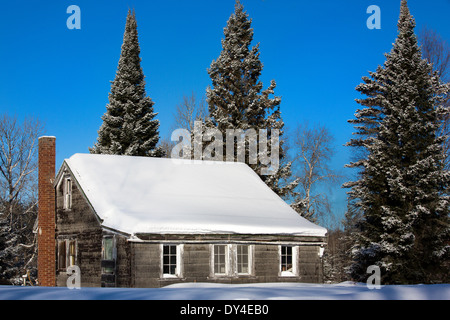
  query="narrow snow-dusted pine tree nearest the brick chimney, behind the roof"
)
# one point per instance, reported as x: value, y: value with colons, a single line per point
x: 129, y: 125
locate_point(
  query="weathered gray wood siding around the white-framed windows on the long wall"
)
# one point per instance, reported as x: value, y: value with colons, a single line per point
x: 146, y: 265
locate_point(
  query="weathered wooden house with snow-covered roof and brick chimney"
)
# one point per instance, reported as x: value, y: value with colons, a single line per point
x: 150, y: 222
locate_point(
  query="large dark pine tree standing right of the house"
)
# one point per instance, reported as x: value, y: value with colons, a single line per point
x: 402, y: 184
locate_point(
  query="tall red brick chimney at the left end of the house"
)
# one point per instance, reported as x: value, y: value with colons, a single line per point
x: 46, y: 213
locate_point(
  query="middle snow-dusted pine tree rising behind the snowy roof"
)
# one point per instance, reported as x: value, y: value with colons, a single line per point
x: 237, y: 99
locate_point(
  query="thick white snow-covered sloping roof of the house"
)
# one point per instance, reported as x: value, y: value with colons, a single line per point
x: 172, y: 196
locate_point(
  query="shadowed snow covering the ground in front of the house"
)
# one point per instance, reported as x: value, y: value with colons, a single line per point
x: 261, y: 291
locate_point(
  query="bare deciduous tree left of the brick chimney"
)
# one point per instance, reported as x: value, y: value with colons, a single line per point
x: 18, y: 193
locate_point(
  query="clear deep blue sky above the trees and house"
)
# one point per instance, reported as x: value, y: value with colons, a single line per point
x: 316, y: 51
